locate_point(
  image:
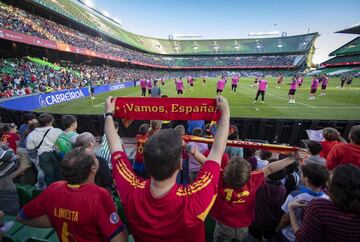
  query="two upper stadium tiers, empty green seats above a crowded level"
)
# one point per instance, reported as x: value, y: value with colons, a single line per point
x: 80, y: 23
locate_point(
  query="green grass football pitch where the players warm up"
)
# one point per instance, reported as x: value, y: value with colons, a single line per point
x: 338, y: 104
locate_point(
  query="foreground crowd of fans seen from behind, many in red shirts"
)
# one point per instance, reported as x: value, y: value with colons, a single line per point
x: 169, y: 187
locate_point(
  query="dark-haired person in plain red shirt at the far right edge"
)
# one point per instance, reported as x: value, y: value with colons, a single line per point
x: 342, y: 154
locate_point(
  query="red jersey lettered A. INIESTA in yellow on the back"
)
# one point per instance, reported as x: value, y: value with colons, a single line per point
x: 78, y: 213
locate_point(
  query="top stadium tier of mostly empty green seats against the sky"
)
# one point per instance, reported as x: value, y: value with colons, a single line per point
x: 277, y: 45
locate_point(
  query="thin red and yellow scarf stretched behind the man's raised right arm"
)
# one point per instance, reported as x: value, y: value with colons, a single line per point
x: 246, y: 144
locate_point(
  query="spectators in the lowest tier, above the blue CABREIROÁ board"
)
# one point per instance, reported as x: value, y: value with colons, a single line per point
x: 22, y: 76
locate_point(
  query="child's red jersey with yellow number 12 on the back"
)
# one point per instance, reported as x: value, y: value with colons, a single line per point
x: 236, y: 207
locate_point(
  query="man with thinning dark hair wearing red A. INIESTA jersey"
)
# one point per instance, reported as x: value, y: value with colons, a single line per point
x: 78, y: 209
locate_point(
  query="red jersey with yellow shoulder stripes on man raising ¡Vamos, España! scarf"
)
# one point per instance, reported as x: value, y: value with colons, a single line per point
x: 177, y: 216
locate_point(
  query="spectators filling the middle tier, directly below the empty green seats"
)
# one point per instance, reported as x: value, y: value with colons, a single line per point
x: 16, y: 19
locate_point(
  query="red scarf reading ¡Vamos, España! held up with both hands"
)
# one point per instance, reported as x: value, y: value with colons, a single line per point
x: 139, y: 108
